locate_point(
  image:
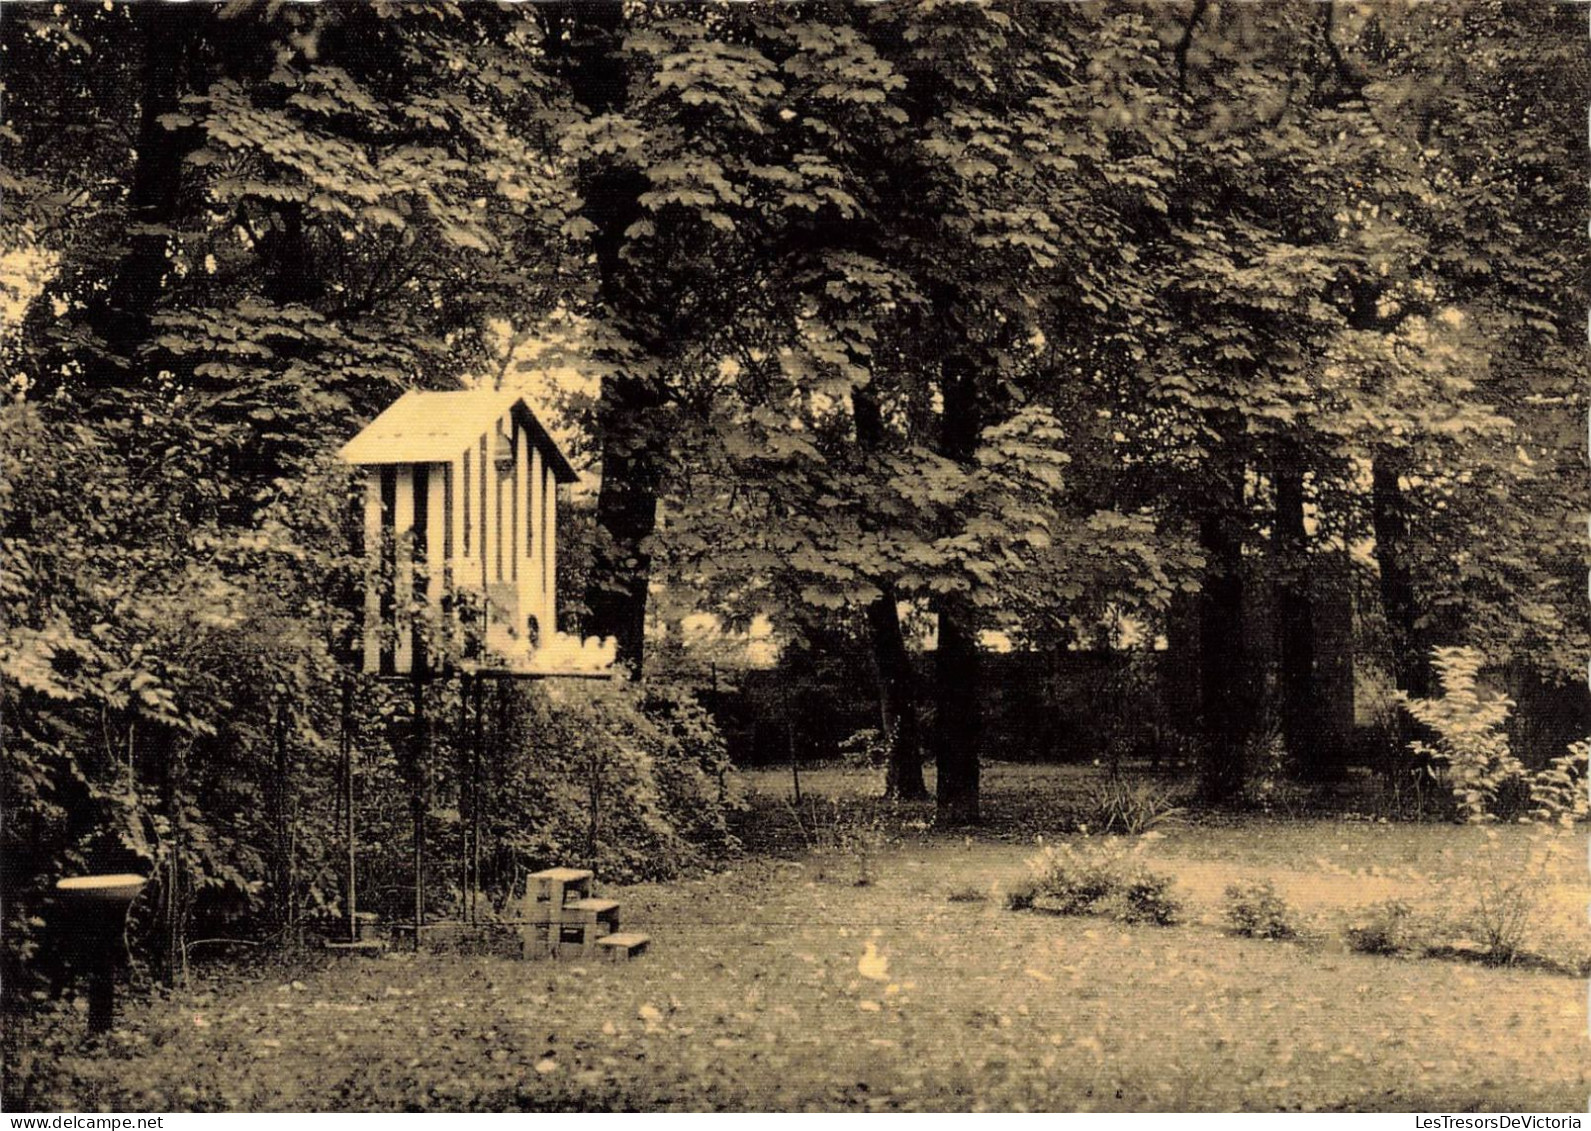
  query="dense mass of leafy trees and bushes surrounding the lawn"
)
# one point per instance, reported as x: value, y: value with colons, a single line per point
x: 1025, y: 321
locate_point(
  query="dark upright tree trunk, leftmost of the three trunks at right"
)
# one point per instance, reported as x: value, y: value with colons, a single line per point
x: 1224, y: 666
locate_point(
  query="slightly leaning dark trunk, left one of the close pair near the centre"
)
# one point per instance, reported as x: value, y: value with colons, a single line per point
x: 897, y: 678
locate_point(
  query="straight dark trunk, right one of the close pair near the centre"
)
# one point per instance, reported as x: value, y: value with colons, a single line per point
x: 959, y: 691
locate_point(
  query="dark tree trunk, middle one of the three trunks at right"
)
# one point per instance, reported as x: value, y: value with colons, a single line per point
x: 1307, y: 745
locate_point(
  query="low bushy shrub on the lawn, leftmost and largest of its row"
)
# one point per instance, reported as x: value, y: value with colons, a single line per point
x: 1095, y: 880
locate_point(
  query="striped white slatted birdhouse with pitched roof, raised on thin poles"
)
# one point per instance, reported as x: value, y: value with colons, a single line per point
x: 461, y: 499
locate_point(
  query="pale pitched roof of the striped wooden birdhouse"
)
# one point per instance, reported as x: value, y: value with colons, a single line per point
x: 438, y: 427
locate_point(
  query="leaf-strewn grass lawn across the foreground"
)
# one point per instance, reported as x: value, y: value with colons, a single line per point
x: 782, y: 984
